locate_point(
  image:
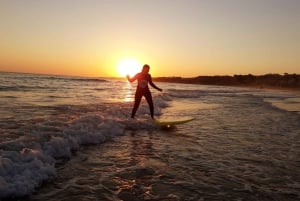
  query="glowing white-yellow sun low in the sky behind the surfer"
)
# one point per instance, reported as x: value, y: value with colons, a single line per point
x: 128, y: 66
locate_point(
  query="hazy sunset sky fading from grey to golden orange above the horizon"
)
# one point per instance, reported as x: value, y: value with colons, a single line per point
x: 184, y: 38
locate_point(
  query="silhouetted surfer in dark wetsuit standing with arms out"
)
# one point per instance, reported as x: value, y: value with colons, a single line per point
x: 142, y: 89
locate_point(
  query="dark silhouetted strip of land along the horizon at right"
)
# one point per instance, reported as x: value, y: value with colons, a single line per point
x: 286, y: 81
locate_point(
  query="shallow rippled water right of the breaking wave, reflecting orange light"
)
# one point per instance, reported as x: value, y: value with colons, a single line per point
x: 222, y: 155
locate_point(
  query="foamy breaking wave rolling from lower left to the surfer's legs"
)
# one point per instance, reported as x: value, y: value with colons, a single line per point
x: 31, y: 158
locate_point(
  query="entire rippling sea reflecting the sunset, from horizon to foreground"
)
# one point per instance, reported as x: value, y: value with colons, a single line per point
x: 71, y: 138
